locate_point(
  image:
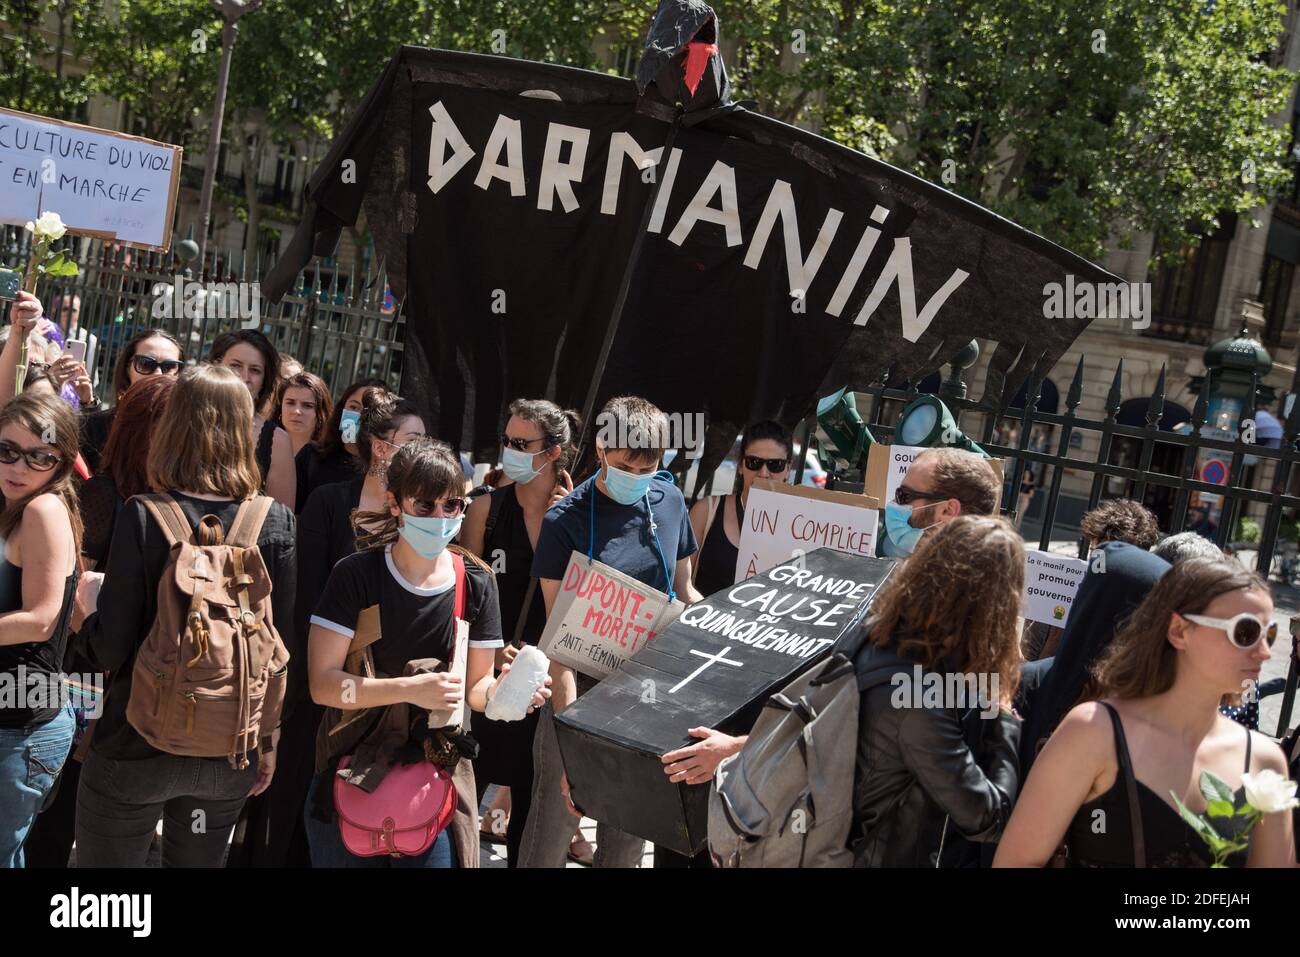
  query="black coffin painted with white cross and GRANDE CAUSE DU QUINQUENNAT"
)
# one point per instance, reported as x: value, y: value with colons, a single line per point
x: 714, y: 668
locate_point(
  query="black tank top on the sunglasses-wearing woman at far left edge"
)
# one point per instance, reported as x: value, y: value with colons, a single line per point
x: 33, y: 669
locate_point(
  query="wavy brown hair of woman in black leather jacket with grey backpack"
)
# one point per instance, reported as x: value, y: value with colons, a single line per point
x: 954, y: 605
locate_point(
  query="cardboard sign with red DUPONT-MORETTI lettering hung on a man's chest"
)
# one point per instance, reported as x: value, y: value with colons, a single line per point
x: 603, y: 617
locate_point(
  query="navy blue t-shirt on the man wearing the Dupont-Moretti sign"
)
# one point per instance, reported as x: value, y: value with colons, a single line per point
x: 623, y: 539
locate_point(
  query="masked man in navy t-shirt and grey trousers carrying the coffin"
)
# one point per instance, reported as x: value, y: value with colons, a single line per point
x: 635, y: 521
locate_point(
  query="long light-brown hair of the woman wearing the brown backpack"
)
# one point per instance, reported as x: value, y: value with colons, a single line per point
x: 203, y: 443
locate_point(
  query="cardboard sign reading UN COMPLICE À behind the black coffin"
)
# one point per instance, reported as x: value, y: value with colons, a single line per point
x: 785, y: 522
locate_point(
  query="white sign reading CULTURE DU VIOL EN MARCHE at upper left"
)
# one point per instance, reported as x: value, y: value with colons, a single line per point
x: 102, y: 184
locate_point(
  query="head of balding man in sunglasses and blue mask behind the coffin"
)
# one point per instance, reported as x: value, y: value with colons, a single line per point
x: 941, y: 486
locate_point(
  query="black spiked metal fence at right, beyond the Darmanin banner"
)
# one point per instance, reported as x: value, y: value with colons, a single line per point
x: 985, y: 419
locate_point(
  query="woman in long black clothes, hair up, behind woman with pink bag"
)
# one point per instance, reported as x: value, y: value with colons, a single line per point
x: 274, y: 834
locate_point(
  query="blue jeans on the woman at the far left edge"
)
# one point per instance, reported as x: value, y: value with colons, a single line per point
x: 31, y: 761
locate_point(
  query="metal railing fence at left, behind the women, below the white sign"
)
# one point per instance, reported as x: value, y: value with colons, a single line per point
x: 335, y: 323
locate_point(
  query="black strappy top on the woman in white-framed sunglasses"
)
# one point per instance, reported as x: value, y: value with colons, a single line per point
x: 1169, y: 842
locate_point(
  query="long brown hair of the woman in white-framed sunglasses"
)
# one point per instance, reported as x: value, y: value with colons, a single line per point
x: 1141, y: 661
